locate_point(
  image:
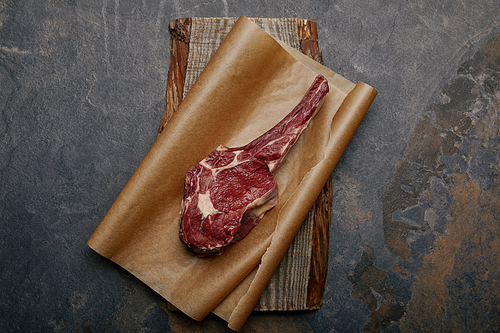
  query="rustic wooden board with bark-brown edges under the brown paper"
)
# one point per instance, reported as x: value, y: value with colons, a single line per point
x: 299, y: 281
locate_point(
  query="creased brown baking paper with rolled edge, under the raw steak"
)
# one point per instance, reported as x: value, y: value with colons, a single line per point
x: 249, y: 85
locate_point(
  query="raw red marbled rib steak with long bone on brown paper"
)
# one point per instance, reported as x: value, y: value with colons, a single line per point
x: 228, y: 192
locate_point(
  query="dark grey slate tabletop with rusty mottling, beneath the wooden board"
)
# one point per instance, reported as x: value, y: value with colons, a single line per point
x: 415, y: 236
